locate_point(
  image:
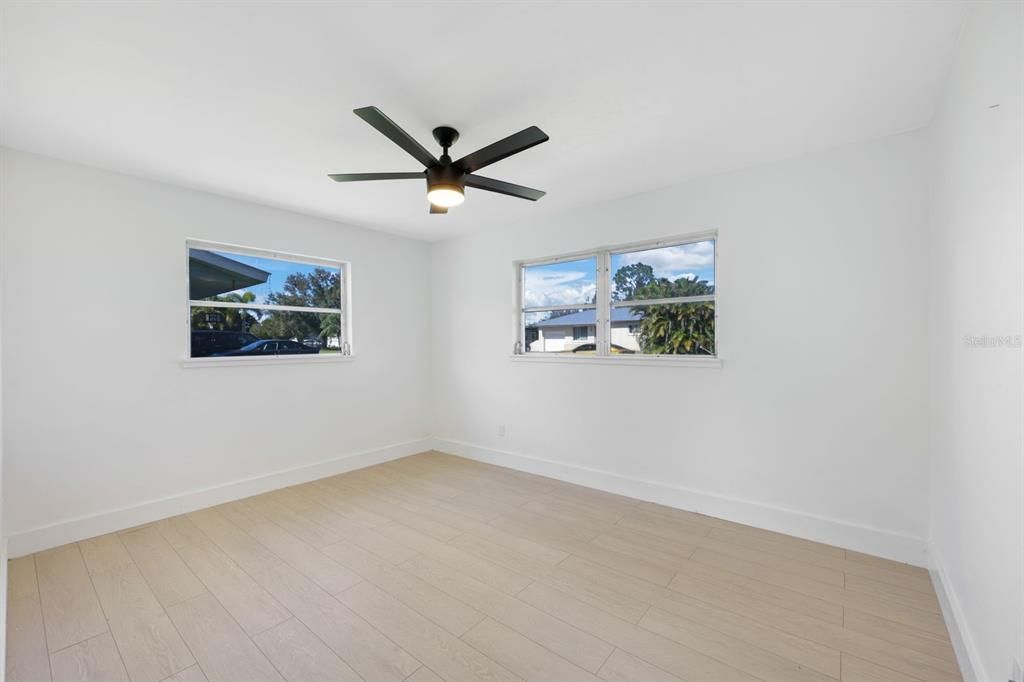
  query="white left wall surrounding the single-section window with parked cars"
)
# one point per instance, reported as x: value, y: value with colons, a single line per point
x: 99, y: 412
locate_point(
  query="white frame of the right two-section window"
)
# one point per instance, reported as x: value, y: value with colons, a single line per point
x: 605, y: 307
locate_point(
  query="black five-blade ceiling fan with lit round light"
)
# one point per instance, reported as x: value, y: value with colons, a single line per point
x: 448, y: 180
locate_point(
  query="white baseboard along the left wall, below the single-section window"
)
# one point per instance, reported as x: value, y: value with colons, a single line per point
x: 74, y: 530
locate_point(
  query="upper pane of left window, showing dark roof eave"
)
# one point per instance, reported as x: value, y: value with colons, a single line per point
x: 222, y: 276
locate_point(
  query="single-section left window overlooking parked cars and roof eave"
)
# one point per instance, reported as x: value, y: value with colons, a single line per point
x: 252, y: 304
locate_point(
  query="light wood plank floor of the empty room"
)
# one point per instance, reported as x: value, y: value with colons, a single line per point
x: 435, y: 568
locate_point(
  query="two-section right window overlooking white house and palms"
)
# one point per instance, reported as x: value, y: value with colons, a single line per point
x: 654, y: 300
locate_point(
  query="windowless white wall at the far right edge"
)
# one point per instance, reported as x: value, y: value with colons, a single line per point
x: 977, y: 435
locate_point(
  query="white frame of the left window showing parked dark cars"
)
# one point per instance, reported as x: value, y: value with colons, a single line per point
x: 346, y: 342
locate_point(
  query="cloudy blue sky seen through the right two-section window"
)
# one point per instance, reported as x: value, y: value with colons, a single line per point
x: 576, y: 282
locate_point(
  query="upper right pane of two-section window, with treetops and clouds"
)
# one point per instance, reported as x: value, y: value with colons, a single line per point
x: 687, y: 270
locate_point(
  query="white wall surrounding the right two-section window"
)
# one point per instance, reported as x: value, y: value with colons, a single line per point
x: 815, y: 424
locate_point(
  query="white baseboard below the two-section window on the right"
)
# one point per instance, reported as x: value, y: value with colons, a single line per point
x: 820, y: 529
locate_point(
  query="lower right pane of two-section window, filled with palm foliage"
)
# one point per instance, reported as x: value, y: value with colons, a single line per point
x: 678, y: 329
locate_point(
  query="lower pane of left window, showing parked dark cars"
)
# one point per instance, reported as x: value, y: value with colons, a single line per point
x: 249, y: 332
